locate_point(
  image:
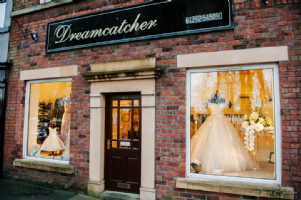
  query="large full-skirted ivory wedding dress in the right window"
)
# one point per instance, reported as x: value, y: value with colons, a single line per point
x: 217, y: 146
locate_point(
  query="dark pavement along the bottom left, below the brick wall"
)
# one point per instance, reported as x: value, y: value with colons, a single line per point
x: 14, y: 190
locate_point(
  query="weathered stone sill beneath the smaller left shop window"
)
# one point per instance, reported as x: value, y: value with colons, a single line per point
x: 44, y: 165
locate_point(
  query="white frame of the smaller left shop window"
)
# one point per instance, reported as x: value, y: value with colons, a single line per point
x: 25, y: 132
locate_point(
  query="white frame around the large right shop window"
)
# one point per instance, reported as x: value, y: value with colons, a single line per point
x: 277, y: 122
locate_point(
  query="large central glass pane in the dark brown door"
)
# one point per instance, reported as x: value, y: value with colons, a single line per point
x: 125, y: 123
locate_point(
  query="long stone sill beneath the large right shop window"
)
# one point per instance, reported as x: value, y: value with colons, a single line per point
x: 235, y: 187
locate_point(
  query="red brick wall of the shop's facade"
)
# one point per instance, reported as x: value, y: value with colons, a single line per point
x: 277, y: 24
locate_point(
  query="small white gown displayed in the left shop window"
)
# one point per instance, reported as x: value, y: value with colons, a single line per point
x: 53, y: 141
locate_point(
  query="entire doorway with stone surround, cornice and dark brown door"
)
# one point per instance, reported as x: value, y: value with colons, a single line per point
x: 122, y: 136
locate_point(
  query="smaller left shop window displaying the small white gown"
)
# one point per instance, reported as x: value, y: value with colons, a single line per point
x: 47, y: 126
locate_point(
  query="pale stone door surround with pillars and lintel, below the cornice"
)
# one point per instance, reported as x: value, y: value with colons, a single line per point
x: 146, y: 87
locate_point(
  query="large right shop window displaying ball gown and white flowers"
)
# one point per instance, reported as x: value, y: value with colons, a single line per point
x: 234, y: 123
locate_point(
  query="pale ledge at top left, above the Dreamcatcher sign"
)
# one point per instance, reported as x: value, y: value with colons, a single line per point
x: 39, y: 7
